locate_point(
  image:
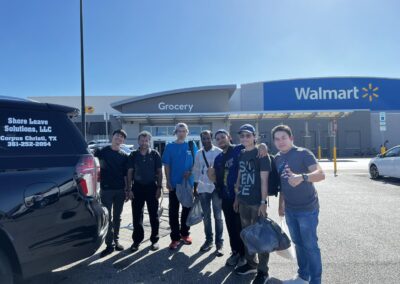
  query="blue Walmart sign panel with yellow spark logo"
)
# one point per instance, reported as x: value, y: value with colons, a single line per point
x: 321, y: 94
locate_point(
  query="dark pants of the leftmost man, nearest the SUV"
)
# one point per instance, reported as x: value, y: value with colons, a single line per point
x: 113, y: 200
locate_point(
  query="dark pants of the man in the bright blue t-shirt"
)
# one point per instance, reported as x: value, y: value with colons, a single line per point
x: 177, y: 232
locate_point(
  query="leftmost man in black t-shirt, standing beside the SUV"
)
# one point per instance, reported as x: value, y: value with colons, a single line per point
x: 113, y: 165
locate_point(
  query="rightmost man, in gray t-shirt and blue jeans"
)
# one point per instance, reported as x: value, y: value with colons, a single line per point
x: 298, y: 201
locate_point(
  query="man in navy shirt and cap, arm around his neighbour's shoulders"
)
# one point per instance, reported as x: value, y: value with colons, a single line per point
x: 226, y: 170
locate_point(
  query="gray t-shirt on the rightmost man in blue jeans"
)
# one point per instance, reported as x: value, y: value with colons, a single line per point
x: 303, y: 197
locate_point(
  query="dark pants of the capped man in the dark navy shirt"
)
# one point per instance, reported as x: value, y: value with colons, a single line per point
x: 234, y: 226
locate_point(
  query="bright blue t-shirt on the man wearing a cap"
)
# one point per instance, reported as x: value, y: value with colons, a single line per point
x: 179, y: 159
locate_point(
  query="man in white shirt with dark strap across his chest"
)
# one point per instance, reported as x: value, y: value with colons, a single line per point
x: 205, y: 189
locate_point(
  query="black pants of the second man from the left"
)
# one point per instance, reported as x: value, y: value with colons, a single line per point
x: 142, y: 194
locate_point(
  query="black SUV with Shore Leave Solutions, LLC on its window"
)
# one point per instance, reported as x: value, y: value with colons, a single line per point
x: 50, y: 213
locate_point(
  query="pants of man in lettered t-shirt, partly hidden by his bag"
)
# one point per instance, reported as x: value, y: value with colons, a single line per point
x: 249, y: 216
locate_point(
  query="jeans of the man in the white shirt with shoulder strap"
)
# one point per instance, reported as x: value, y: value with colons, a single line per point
x: 205, y: 200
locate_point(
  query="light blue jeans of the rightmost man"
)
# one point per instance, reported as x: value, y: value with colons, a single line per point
x: 303, y: 230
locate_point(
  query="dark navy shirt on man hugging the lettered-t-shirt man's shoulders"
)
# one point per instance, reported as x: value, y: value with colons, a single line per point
x: 227, y: 172
